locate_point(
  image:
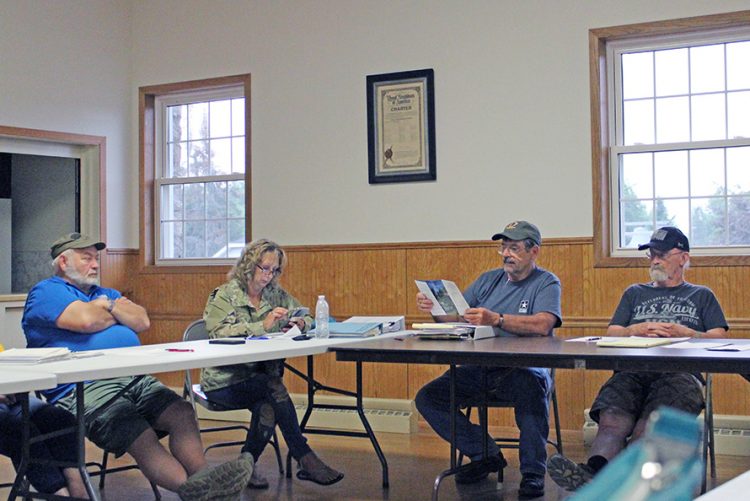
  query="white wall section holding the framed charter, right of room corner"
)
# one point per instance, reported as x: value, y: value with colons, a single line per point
x: 512, y: 106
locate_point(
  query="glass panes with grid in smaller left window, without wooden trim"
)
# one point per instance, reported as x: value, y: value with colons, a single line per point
x: 201, y: 190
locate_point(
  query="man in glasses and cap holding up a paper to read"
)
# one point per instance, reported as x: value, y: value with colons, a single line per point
x: 520, y: 299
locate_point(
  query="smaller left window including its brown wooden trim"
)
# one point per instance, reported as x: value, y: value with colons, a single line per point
x: 200, y: 170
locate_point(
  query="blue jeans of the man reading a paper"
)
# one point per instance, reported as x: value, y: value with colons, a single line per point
x: 527, y: 388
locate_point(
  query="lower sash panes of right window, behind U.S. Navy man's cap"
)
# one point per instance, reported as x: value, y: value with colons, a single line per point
x: 704, y: 203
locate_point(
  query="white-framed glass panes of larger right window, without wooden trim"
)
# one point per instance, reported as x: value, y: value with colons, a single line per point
x: 680, y: 142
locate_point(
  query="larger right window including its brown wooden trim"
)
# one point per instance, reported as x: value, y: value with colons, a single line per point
x: 672, y: 141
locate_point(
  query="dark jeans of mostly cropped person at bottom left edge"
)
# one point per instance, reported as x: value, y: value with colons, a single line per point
x: 45, y: 418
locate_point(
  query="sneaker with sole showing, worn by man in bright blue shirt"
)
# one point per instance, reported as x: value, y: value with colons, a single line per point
x: 224, y: 482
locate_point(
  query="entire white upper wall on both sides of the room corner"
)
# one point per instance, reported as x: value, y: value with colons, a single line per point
x: 512, y: 101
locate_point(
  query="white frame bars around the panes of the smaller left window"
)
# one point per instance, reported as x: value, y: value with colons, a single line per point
x: 161, y: 104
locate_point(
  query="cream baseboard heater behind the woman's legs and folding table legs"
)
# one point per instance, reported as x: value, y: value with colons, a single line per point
x: 383, y: 414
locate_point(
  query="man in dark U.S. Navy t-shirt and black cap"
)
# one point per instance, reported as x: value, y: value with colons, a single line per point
x: 668, y: 306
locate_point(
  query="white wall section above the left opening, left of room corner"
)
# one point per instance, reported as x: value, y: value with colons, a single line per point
x: 65, y: 66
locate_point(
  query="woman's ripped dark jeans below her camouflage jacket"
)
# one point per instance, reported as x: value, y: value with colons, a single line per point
x: 268, y: 400
